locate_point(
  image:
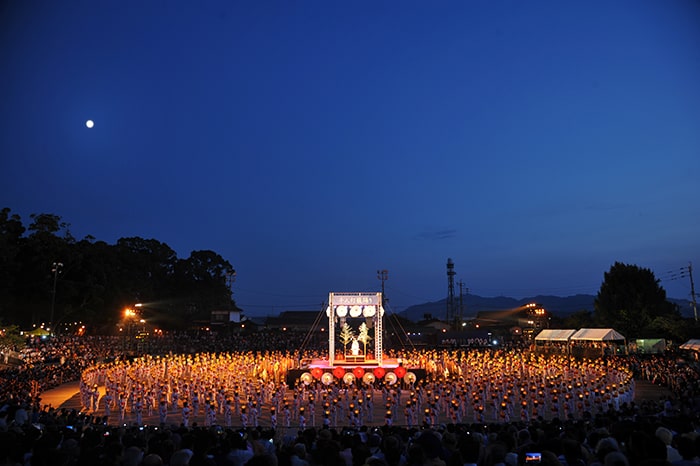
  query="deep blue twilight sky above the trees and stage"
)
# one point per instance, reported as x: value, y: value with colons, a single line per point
x: 311, y: 143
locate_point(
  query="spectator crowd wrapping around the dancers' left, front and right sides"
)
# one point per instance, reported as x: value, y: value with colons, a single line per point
x: 662, y: 432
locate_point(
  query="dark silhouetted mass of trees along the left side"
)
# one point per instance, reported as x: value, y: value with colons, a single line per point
x: 45, y: 272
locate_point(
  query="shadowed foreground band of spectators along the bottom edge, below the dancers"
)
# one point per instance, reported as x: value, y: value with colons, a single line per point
x: 613, y: 439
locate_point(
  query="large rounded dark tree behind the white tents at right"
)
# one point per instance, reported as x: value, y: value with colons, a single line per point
x: 630, y: 299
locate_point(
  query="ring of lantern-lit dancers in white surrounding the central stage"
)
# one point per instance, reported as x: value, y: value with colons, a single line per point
x: 250, y: 389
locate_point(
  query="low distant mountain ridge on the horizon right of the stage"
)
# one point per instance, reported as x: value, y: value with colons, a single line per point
x: 557, y: 305
